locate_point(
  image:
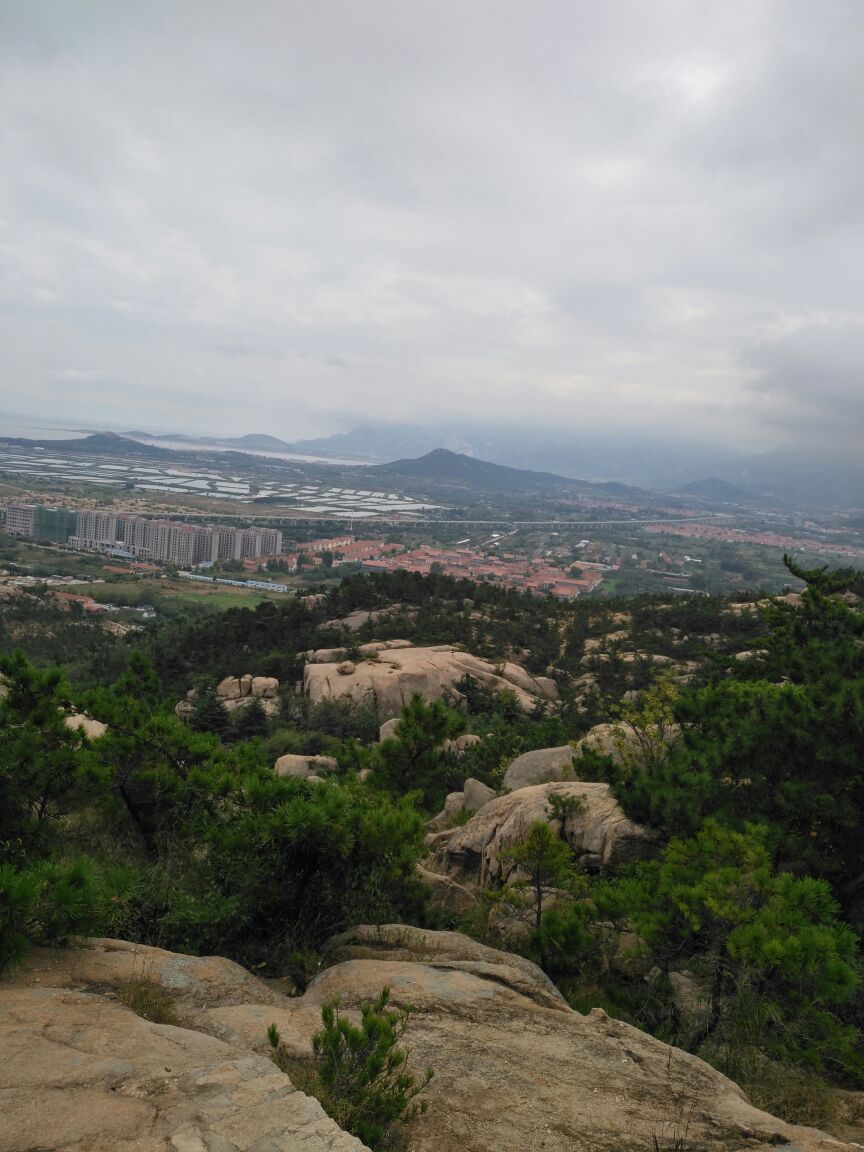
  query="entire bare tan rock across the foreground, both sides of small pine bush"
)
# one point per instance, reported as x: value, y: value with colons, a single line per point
x: 516, y: 1068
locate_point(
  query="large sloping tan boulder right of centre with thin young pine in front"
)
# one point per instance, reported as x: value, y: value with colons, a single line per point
x: 598, y: 832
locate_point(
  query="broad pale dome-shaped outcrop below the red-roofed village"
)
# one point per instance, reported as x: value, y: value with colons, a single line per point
x: 398, y: 671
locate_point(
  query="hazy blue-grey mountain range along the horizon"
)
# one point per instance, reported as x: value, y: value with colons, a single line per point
x: 613, y: 465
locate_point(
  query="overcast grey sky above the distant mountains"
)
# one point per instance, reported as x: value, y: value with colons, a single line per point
x: 289, y: 217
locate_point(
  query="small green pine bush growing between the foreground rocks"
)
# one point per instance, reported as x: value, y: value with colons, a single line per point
x: 361, y: 1078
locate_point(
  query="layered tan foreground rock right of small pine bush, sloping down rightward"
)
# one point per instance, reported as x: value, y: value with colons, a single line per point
x: 516, y: 1068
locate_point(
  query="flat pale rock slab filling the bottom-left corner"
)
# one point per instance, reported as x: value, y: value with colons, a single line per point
x: 84, y: 1073
